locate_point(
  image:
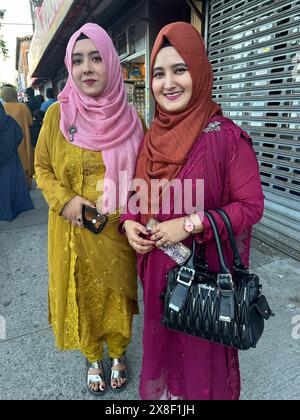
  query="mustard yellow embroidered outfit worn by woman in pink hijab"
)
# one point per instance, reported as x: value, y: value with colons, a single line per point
x: 92, y: 278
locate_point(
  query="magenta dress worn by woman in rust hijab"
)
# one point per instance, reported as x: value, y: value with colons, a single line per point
x: 177, y: 366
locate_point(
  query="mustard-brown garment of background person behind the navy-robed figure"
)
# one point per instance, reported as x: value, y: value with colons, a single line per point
x: 21, y: 113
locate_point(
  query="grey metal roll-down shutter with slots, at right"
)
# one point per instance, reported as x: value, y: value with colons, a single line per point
x: 254, y: 47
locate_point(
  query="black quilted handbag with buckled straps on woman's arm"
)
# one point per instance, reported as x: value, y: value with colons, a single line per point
x: 226, y: 307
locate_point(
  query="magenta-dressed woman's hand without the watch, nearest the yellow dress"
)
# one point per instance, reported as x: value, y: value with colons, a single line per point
x: 134, y: 230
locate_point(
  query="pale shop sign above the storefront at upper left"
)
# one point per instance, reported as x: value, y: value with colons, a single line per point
x: 48, y: 19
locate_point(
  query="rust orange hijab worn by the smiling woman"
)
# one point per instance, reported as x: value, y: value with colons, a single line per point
x: 172, y: 135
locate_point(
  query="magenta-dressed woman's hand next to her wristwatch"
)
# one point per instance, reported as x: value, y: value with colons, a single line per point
x: 170, y: 232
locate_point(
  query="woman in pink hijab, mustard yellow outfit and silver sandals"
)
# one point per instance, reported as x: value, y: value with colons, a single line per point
x: 92, y: 134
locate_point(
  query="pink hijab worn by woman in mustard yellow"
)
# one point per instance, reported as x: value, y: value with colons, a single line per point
x: 106, y: 123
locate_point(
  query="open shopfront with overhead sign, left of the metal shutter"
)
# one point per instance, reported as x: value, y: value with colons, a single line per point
x: 132, y: 25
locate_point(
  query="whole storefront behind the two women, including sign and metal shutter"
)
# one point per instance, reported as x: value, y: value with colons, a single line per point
x: 254, y: 47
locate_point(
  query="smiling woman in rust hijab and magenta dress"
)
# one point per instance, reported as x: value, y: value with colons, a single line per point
x: 189, y: 139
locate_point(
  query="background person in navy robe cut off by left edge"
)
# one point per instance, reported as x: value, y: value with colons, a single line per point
x: 14, y: 195
